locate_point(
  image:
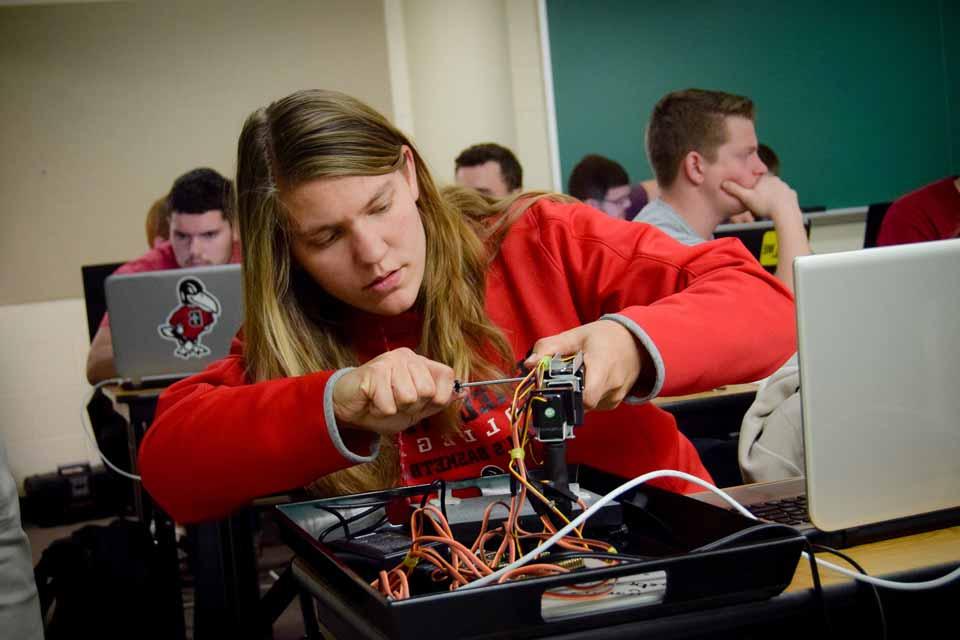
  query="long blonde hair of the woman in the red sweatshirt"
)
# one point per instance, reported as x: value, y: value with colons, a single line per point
x: 292, y: 327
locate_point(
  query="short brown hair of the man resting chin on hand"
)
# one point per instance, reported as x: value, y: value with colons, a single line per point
x: 690, y: 120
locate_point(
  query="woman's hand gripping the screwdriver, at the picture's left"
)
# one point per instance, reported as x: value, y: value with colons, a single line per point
x: 392, y: 392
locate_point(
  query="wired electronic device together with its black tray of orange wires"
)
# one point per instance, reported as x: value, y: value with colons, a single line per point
x: 455, y: 550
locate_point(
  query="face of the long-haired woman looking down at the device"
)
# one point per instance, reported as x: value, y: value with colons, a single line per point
x: 361, y: 238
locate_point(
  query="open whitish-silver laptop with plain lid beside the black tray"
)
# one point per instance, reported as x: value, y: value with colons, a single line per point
x: 879, y: 353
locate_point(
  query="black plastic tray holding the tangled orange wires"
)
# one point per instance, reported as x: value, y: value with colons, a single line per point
x: 670, y: 527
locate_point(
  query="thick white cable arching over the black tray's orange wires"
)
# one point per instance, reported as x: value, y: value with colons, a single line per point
x: 669, y: 473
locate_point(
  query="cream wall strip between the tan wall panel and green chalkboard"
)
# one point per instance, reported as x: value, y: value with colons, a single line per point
x: 470, y: 72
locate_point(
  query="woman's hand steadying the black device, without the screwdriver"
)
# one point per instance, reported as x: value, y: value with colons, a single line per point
x: 612, y: 360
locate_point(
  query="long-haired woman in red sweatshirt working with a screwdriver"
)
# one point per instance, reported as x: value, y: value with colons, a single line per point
x: 368, y: 291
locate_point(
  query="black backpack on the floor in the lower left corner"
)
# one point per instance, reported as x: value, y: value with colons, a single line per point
x: 107, y: 582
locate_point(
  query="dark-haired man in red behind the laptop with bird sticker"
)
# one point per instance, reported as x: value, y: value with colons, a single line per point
x: 203, y: 231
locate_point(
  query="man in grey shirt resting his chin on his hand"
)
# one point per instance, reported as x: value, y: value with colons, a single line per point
x: 702, y: 146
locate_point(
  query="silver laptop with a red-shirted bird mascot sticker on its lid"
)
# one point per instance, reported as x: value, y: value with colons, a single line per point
x: 170, y: 324
